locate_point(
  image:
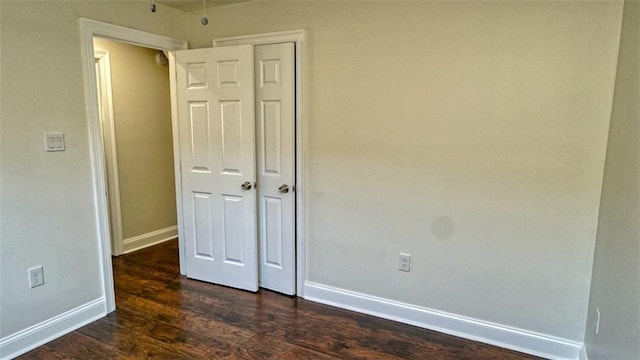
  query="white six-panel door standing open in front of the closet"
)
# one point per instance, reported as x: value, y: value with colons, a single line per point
x: 217, y: 152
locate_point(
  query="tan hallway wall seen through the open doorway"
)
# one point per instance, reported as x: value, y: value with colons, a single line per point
x: 142, y: 115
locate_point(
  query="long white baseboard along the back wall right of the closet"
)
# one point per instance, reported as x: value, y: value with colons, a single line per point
x: 461, y: 326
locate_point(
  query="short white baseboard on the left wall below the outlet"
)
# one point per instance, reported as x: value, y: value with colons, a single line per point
x: 28, y: 339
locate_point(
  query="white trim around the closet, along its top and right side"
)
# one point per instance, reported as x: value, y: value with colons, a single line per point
x: 298, y: 37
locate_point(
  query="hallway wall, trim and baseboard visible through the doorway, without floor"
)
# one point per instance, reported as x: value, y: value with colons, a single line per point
x: 135, y: 111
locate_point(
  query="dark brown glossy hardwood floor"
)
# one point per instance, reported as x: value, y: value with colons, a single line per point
x: 163, y: 315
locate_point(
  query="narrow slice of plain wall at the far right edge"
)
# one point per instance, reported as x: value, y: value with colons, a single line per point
x: 615, y: 287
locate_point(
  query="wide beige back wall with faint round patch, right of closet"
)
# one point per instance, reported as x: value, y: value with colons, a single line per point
x: 469, y: 134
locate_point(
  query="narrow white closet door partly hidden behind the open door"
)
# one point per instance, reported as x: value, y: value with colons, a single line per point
x: 275, y: 109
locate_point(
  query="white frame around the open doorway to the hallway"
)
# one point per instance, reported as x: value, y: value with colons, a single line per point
x: 89, y: 29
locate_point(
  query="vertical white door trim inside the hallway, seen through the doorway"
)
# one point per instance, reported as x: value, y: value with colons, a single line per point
x: 111, y: 154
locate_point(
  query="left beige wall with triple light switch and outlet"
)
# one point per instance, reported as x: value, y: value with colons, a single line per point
x: 47, y: 211
